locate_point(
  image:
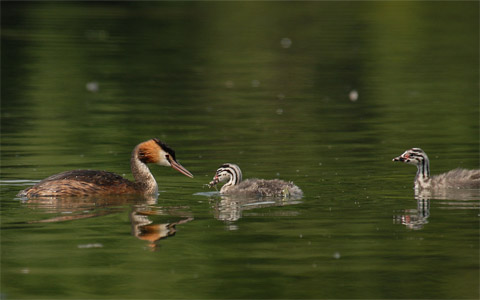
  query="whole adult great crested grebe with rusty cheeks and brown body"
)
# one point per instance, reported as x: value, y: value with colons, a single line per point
x: 90, y: 182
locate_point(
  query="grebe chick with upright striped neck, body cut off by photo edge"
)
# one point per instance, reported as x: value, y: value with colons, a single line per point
x: 457, y: 178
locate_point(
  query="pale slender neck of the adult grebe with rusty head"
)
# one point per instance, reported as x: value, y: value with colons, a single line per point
x: 144, y: 179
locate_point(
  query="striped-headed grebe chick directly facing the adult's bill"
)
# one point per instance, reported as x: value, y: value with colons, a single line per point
x: 252, y: 187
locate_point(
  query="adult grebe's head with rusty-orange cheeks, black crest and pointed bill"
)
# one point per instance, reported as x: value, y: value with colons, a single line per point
x: 157, y: 152
